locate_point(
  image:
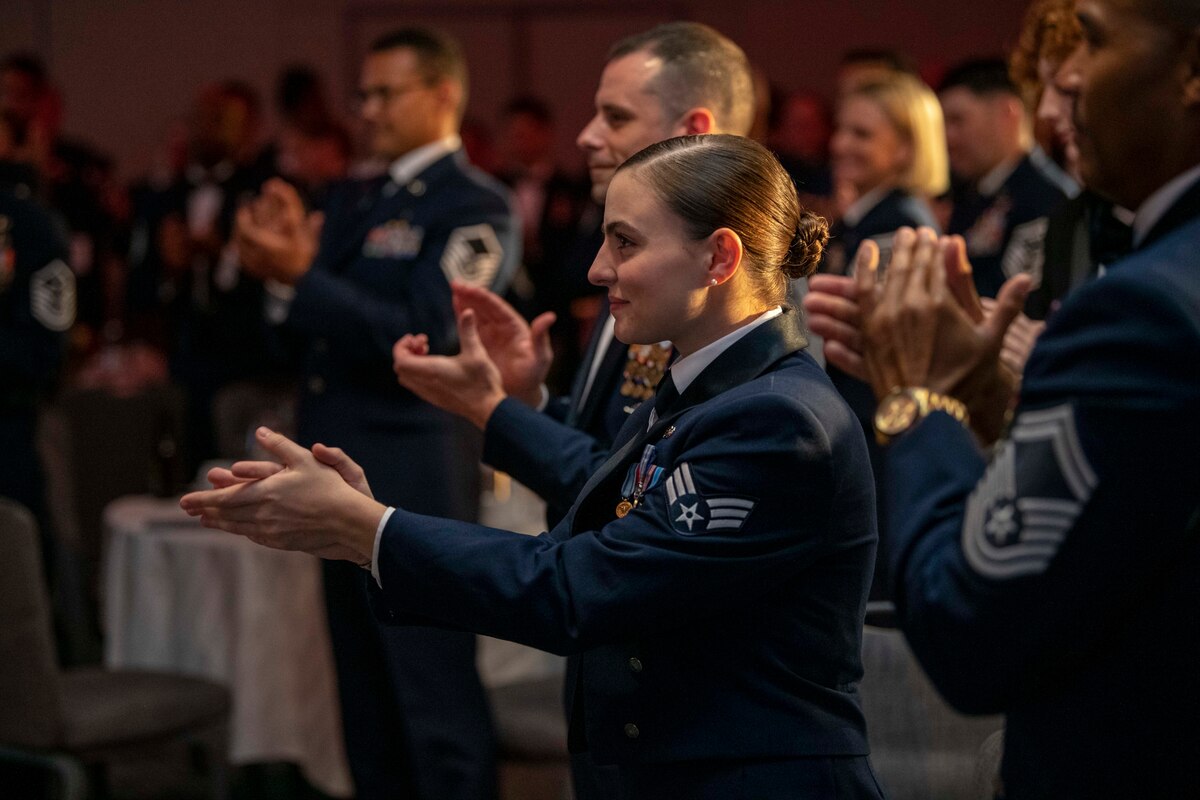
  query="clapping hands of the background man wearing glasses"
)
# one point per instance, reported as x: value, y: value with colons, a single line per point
x: 275, y: 238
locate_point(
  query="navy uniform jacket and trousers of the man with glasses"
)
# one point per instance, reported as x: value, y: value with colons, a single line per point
x: 416, y: 717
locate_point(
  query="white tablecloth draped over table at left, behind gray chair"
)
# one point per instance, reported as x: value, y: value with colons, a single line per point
x: 184, y: 599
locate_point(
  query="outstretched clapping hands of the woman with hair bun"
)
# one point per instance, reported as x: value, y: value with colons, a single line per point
x: 298, y: 506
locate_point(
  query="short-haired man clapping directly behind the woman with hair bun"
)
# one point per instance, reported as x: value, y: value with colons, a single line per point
x: 675, y: 80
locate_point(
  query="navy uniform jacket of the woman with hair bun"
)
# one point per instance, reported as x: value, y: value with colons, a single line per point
x: 722, y: 618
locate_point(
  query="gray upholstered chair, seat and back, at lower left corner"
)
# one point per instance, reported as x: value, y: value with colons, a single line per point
x: 91, y: 715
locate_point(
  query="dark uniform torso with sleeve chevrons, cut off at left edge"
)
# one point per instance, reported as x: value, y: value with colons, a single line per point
x: 38, y: 308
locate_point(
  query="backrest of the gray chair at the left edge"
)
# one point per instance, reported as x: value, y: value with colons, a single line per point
x: 31, y: 693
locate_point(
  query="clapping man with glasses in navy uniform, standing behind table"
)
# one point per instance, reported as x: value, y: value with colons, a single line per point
x: 415, y: 714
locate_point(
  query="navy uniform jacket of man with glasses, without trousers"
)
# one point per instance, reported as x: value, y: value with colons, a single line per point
x: 379, y: 276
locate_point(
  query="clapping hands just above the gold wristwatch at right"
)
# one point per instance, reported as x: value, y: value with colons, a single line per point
x: 923, y: 326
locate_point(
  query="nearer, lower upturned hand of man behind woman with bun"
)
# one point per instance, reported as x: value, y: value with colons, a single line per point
x: 469, y: 384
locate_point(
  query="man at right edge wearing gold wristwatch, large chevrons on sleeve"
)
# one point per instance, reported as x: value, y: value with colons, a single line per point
x: 1059, y: 582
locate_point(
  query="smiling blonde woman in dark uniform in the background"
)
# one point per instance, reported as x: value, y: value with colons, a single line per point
x: 890, y: 155
